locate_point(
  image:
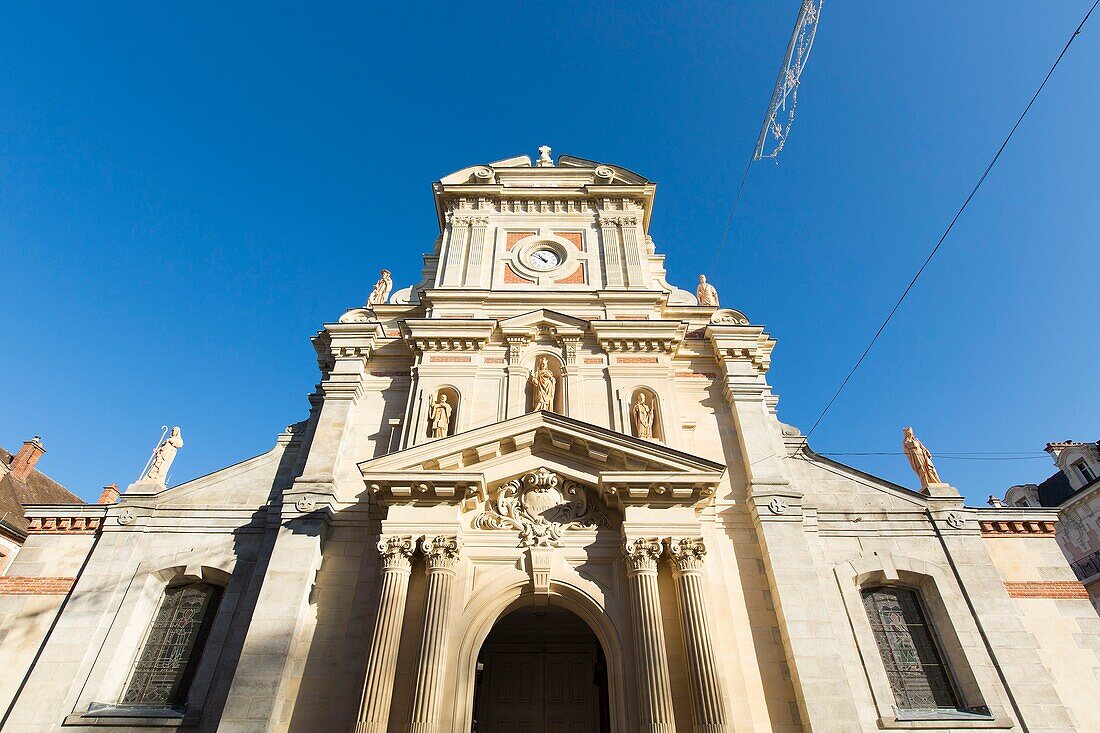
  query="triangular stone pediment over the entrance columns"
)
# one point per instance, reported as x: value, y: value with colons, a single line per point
x: 624, y: 469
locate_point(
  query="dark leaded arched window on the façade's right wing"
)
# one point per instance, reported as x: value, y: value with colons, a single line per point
x: 915, y: 665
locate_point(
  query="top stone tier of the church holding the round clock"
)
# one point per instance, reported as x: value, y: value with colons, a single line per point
x: 513, y: 229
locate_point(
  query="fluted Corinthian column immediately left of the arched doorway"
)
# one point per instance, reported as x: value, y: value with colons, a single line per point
x: 441, y: 555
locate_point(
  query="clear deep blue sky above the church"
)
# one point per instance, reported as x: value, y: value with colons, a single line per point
x: 189, y: 192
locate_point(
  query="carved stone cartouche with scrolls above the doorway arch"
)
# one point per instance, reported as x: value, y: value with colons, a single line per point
x: 541, y: 507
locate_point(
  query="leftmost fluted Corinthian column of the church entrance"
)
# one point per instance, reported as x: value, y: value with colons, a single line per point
x: 397, y: 554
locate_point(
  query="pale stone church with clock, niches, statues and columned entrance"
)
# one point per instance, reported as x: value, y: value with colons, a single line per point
x: 604, y: 528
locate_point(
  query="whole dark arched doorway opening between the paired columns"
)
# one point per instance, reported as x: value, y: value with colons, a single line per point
x: 542, y: 670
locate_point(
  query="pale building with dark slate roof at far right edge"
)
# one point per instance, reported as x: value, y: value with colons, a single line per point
x: 1075, y: 491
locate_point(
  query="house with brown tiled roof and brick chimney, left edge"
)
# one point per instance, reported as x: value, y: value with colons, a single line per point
x: 23, y: 484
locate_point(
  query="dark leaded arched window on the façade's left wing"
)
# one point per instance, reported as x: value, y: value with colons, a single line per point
x: 167, y: 665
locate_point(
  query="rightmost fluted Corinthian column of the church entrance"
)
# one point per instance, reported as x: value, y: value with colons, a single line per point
x: 686, y: 555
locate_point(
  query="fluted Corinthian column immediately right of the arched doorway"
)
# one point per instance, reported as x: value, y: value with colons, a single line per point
x: 655, y: 693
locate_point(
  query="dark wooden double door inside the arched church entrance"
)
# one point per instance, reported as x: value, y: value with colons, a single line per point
x: 538, y: 690
